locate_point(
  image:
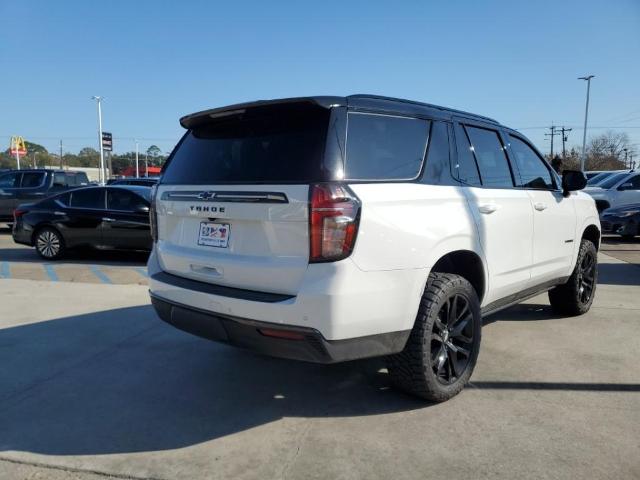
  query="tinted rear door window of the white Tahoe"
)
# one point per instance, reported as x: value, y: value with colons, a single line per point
x: 490, y: 156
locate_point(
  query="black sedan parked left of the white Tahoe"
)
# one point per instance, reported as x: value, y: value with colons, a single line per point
x: 101, y: 217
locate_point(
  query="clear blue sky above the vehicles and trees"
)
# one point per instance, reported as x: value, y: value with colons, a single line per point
x: 154, y: 61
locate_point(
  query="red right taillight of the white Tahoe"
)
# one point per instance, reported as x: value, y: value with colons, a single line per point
x: 333, y: 222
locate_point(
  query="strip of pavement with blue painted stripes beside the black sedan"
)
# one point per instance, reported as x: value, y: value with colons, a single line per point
x: 87, y: 266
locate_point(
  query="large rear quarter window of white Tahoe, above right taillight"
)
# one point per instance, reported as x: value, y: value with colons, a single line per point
x: 382, y: 147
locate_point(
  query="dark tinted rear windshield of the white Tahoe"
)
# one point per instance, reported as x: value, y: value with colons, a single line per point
x: 283, y: 145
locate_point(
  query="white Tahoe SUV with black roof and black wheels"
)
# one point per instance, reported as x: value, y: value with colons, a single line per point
x: 328, y: 229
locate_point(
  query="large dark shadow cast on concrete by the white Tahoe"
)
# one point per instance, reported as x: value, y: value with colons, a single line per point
x: 122, y: 381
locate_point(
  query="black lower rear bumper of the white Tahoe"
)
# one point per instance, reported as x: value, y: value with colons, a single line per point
x: 308, y: 345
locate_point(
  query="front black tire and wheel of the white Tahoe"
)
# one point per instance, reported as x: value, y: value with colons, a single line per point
x: 576, y: 296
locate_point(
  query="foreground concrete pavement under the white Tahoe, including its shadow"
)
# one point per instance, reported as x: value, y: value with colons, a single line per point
x: 92, y: 384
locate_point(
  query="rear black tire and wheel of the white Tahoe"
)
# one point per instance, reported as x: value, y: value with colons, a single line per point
x: 429, y: 367
